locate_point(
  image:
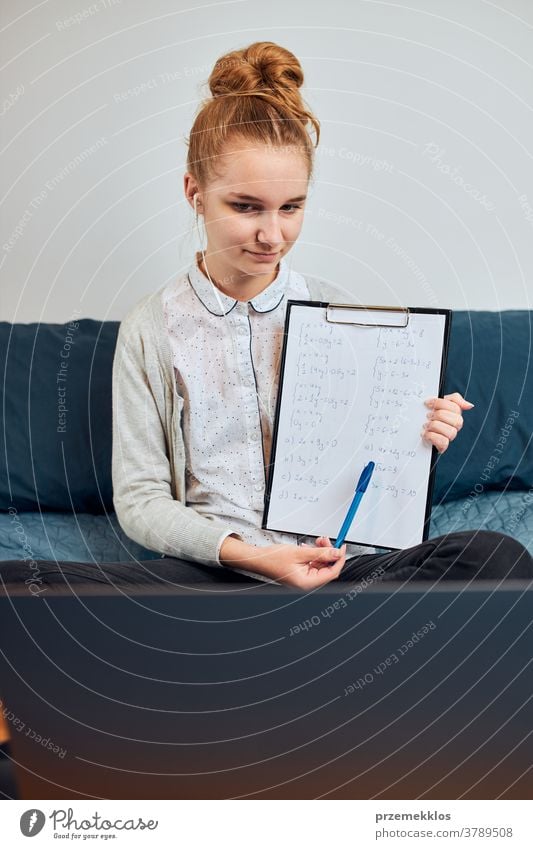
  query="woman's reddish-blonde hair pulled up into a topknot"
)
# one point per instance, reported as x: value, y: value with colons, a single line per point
x: 256, y: 98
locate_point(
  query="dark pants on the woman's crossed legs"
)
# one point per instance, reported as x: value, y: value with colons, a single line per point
x: 460, y: 556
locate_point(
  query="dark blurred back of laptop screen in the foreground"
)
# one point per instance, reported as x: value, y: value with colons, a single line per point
x: 398, y: 691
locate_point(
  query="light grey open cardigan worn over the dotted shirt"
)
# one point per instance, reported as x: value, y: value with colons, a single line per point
x: 148, y: 457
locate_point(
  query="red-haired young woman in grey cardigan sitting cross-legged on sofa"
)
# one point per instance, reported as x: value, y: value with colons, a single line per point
x: 196, y: 365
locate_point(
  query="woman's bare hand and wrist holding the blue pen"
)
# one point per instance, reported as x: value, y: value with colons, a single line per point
x: 305, y: 567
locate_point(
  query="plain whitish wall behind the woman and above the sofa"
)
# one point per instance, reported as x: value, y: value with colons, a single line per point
x: 424, y: 179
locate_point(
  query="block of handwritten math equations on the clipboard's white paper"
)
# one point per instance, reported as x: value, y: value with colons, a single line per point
x: 343, y: 397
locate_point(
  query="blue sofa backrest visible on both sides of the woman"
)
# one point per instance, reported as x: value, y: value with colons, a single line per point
x: 56, y: 388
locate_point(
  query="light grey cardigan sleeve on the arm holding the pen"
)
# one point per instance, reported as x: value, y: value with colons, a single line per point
x: 142, y: 478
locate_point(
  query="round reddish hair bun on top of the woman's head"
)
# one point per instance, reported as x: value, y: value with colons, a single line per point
x: 263, y: 67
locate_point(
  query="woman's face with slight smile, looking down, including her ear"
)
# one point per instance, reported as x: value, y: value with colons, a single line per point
x: 253, y: 213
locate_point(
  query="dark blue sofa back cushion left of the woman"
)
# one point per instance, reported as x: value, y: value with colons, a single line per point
x: 56, y: 440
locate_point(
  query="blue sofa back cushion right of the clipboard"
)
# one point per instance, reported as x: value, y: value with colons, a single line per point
x: 489, y: 363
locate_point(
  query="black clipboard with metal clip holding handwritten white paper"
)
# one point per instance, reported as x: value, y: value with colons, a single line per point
x: 352, y: 385
